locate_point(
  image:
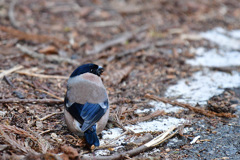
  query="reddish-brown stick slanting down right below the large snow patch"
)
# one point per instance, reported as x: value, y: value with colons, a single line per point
x: 194, y: 109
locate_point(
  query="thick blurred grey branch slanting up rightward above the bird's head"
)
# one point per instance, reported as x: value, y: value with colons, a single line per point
x: 119, y: 40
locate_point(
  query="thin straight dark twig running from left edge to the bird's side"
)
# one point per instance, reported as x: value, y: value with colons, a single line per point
x: 15, y: 100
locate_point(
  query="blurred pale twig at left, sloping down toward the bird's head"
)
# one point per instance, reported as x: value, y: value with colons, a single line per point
x: 51, y: 58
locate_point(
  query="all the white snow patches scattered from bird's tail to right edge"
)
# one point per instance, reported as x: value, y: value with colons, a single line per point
x: 198, y: 88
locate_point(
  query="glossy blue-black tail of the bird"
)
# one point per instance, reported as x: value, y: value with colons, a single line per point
x: 91, y: 136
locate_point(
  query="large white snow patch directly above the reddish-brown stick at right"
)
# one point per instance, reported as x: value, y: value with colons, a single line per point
x: 202, y: 86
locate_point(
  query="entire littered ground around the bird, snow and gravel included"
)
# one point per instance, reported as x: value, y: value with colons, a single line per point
x: 167, y: 50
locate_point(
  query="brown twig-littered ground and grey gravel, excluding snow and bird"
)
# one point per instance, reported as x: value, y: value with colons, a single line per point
x: 137, y: 42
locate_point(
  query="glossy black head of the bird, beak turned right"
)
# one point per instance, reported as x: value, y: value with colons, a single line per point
x: 88, y: 68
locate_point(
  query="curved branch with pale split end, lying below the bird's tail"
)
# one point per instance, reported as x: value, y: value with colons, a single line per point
x: 153, y: 143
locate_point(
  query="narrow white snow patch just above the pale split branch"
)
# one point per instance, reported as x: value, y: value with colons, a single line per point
x: 155, y: 125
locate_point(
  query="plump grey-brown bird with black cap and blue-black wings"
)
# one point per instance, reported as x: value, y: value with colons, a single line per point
x: 86, y: 103
